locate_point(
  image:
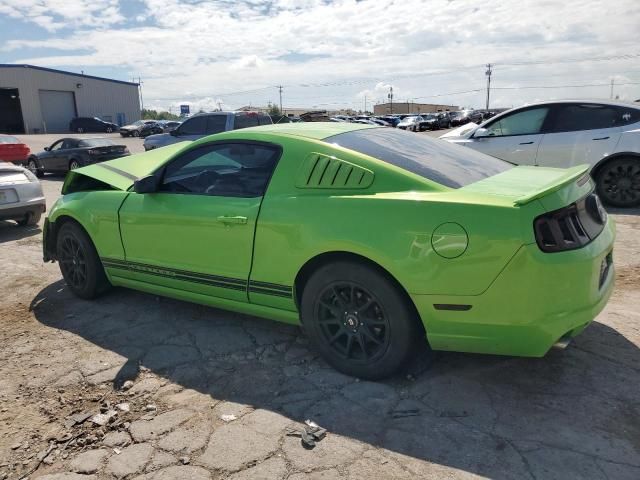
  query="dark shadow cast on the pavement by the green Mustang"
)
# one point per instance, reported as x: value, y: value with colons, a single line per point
x: 574, y: 411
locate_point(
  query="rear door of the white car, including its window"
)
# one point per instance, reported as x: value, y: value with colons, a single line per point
x: 580, y: 133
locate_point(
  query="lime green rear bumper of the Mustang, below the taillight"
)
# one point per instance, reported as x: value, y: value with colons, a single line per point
x: 538, y: 299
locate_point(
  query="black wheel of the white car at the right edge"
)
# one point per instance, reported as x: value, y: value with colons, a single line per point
x: 618, y: 182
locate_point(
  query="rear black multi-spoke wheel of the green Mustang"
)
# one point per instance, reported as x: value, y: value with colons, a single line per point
x: 358, y: 320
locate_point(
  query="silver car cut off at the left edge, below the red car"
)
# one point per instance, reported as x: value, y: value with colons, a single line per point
x: 21, y: 197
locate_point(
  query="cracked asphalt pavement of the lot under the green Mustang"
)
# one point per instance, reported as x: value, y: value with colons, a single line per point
x: 133, y: 386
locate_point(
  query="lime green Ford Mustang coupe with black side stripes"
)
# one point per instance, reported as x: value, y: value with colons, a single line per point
x: 371, y: 238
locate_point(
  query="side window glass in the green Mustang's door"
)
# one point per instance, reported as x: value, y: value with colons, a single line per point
x: 228, y: 170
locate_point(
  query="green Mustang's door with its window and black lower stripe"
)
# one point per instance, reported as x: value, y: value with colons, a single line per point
x: 195, y: 233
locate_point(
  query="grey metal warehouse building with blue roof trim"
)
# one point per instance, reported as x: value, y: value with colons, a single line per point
x: 43, y: 100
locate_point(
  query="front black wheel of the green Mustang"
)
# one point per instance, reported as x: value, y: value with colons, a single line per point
x: 79, y: 262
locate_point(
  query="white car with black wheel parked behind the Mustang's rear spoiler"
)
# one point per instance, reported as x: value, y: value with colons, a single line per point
x: 603, y: 134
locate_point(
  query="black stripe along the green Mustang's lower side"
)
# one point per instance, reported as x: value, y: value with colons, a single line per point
x: 201, y: 278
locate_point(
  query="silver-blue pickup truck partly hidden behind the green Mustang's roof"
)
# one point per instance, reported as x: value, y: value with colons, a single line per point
x: 205, y: 124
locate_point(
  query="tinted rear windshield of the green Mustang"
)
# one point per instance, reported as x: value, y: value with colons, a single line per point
x: 434, y: 159
